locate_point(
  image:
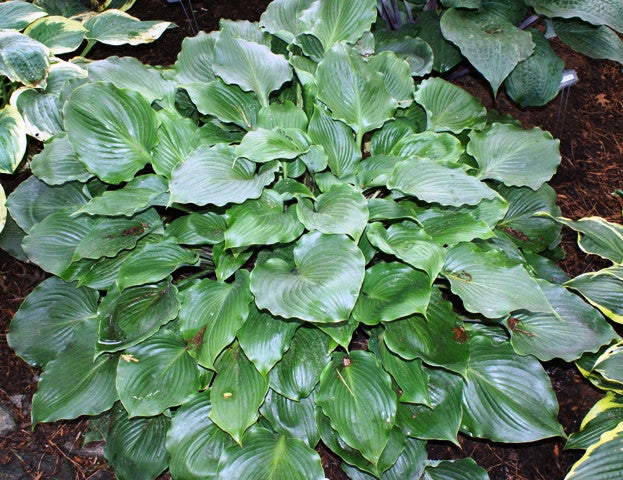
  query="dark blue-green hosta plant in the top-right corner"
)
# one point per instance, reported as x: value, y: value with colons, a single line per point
x: 493, y: 36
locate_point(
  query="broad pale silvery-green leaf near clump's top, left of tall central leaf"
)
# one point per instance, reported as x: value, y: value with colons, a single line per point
x: 250, y: 65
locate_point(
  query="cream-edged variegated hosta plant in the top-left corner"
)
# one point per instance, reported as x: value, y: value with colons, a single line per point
x: 31, y: 35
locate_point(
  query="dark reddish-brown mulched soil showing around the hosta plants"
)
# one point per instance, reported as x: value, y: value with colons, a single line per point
x: 590, y: 171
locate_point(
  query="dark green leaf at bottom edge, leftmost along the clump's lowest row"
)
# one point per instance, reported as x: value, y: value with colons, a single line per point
x: 135, y: 447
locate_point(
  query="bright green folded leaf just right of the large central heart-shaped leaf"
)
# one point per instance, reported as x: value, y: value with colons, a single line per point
x: 409, y: 242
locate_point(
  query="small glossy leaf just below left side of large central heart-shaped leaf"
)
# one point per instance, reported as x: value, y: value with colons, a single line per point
x: 265, y: 338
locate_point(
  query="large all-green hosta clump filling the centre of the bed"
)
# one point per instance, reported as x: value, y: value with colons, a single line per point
x: 281, y: 240
